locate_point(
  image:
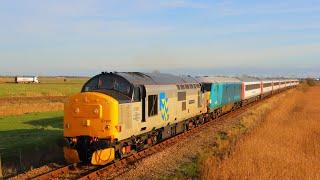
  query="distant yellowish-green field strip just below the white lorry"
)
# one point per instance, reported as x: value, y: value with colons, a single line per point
x: 49, y: 86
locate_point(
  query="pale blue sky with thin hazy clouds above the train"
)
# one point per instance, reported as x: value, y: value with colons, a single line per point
x: 181, y: 36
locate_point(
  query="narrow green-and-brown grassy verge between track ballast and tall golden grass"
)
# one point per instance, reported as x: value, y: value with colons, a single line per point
x: 223, y: 143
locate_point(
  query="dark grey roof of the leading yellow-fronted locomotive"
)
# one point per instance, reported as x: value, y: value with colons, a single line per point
x: 138, y: 78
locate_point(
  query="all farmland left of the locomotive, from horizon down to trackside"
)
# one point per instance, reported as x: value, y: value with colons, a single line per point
x: 31, y: 121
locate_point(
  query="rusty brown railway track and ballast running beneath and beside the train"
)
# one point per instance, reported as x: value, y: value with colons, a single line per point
x: 86, y: 172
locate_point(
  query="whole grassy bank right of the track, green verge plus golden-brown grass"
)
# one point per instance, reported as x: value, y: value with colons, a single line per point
x: 265, y: 142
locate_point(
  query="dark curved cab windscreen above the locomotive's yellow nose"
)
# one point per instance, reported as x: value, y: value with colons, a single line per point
x: 110, y: 84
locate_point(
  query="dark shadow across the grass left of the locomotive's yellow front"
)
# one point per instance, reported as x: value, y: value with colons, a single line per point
x: 23, y: 149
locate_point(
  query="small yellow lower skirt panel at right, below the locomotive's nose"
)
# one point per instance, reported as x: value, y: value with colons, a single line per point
x: 103, y: 157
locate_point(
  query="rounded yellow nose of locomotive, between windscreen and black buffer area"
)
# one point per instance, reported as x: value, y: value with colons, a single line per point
x: 90, y: 114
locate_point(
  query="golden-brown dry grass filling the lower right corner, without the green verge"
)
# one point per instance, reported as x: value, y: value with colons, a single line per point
x: 285, y: 146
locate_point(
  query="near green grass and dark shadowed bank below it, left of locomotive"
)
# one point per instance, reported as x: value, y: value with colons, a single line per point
x: 30, y: 140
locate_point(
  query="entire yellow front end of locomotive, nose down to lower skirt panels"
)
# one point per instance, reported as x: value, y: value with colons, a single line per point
x: 90, y: 124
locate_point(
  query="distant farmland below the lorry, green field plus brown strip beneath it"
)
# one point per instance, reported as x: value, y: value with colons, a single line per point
x: 49, y: 95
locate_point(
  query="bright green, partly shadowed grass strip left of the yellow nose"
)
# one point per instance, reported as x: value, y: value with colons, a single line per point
x: 30, y: 131
